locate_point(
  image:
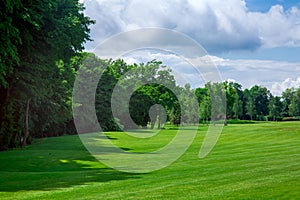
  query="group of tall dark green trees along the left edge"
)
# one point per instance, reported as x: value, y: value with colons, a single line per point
x: 38, y: 42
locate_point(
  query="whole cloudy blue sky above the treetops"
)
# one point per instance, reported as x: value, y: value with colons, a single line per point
x: 252, y: 42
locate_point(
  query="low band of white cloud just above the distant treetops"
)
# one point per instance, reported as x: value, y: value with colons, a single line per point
x: 275, y: 75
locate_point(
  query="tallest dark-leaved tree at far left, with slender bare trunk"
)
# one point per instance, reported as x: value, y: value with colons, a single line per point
x: 37, y: 35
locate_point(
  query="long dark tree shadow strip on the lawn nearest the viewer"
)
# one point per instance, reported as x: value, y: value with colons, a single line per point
x: 47, y: 181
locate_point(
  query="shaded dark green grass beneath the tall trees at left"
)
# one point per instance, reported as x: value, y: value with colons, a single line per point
x: 53, y: 163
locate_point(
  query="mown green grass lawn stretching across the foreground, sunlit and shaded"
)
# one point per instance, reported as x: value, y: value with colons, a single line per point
x: 250, y: 161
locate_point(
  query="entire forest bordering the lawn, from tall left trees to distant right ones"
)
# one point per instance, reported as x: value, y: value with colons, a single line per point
x: 41, y: 51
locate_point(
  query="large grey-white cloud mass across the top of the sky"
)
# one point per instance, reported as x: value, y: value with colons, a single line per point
x: 217, y: 25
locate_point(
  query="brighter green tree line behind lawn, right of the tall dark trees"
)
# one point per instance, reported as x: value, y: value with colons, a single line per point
x: 256, y: 103
